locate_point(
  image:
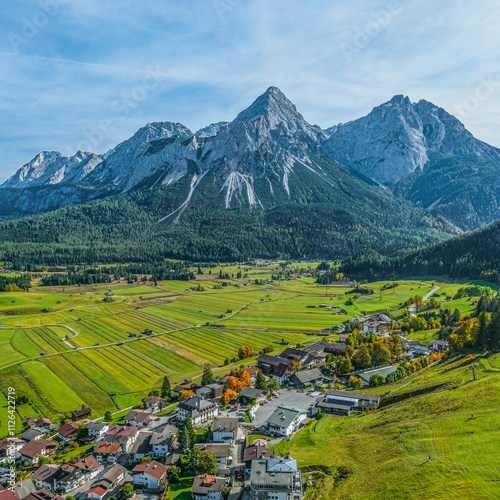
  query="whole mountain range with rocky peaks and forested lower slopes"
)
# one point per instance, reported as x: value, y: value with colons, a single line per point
x: 405, y: 175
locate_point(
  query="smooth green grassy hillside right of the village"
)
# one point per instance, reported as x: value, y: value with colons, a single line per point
x: 427, y: 415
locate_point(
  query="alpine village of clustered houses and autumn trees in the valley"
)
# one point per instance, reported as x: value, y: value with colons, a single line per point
x: 220, y: 433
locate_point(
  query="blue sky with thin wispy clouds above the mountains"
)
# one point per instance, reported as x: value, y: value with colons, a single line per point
x: 87, y: 74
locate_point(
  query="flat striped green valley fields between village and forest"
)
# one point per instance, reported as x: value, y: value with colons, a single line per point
x: 82, y: 363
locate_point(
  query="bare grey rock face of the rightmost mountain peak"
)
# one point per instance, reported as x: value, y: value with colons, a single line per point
x: 394, y: 139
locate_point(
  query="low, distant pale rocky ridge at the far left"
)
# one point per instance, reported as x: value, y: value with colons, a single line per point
x: 51, y: 167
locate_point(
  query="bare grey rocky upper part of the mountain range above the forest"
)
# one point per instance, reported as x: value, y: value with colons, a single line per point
x: 269, y: 154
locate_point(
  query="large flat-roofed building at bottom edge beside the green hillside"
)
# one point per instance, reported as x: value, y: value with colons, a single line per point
x: 277, y: 479
